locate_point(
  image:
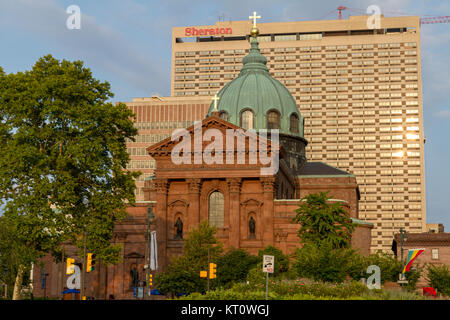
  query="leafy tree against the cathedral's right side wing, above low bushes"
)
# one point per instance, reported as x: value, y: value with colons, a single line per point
x: 322, y: 221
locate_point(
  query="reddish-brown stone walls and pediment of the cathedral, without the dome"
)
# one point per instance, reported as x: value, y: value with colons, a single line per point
x: 184, y: 191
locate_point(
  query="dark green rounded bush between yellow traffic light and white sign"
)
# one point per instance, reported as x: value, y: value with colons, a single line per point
x: 234, y: 266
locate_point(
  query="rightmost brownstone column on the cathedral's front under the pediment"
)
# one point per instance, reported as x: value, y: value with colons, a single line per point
x: 268, y: 186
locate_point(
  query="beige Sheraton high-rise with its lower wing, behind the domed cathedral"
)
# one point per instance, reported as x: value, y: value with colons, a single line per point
x: 359, y: 89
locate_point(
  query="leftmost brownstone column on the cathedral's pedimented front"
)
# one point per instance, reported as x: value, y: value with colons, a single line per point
x: 161, y: 221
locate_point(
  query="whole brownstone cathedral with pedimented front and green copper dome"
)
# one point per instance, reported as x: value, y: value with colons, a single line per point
x: 201, y: 175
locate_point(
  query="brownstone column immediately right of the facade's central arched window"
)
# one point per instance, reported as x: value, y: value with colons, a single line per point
x: 234, y: 187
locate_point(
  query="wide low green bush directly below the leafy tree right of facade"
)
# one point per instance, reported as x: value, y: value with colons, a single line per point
x: 325, y: 263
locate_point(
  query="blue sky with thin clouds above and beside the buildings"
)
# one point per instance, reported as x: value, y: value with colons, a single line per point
x: 128, y: 44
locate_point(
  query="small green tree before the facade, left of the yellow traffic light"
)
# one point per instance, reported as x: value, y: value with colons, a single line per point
x: 183, y: 273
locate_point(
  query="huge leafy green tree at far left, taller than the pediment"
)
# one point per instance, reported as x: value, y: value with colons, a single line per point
x: 62, y: 160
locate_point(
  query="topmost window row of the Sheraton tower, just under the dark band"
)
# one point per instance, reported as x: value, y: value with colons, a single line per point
x: 303, y: 49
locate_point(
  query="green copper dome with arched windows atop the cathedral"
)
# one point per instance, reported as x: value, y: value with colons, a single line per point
x: 255, y: 90
